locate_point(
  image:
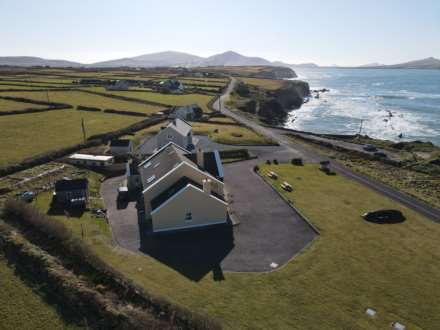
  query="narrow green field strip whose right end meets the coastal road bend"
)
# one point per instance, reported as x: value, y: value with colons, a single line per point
x: 171, y: 99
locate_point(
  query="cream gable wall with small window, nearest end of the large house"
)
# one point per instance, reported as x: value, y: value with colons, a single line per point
x: 190, y: 207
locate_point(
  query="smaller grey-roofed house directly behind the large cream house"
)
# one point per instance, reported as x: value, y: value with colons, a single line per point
x: 177, y: 131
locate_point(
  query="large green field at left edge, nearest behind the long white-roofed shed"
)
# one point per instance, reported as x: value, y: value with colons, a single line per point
x: 24, y: 136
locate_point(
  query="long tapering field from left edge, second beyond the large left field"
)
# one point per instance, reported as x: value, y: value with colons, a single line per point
x: 81, y: 98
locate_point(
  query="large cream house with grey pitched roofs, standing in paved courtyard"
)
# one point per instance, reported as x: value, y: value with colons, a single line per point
x: 183, y: 190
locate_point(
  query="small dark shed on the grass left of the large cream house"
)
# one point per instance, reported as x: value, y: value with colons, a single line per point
x: 72, y: 192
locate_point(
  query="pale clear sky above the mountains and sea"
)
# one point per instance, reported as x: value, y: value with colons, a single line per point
x: 341, y: 32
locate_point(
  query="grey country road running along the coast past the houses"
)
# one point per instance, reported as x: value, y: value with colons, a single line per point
x: 300, y: 151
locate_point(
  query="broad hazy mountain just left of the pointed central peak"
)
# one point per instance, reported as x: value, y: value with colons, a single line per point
x: 167, y: 58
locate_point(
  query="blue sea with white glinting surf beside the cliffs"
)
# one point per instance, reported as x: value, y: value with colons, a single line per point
x: 399, y: 105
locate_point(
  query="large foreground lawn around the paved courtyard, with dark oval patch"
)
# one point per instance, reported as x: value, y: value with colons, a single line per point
x: 351, y: 266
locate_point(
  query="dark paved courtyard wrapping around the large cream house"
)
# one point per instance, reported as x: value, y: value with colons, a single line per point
x: 270, y: 232
